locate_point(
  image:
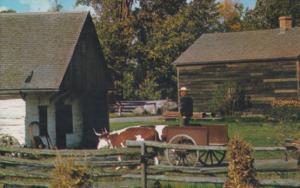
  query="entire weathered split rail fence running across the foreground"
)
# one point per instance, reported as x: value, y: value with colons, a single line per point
x: 32, y: 167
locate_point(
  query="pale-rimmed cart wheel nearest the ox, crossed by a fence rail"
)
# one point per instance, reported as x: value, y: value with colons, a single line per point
x: 179, y: 157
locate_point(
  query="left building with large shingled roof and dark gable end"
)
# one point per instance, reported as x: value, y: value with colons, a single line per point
x: 54, y: 62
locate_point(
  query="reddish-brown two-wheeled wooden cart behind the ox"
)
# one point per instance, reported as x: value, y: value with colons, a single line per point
x: 204, y: 135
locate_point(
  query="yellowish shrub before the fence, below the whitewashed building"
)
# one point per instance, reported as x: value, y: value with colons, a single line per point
x: 68, y: 175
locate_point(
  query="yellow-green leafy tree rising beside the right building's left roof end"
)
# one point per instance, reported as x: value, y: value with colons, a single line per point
x: 163, y: 39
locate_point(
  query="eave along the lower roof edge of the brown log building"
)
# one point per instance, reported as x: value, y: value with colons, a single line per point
x: 179, y: 64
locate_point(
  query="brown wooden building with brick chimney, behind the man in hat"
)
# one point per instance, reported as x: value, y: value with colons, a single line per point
x: 264, y: 62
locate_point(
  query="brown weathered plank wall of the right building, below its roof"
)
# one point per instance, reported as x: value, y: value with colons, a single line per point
x: 263, y: 81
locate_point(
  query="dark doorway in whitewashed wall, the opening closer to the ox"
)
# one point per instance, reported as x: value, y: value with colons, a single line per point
x: 64, y: 124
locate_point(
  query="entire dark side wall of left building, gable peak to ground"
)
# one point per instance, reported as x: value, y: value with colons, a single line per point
x: 86, y: 77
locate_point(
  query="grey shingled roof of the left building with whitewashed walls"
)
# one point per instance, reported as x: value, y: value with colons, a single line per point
x: 37, y: 47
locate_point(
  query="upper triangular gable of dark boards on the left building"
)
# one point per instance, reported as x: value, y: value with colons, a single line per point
x: 87, y: 70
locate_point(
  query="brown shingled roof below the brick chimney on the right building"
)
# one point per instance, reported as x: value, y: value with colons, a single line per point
x: 243, y: 46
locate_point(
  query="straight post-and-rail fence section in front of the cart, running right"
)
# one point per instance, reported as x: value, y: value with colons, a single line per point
x: 291, y: 166
